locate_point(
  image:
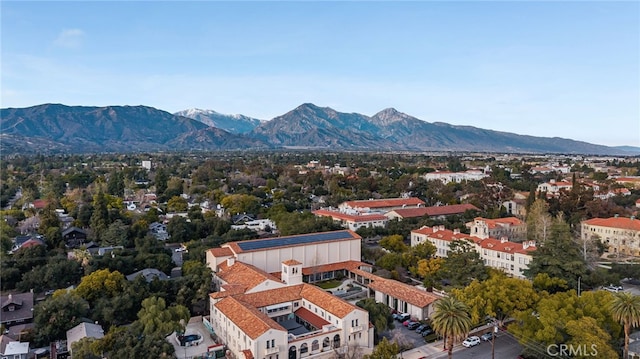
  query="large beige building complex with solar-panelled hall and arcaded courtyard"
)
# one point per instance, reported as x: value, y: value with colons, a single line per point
x: 264, y: 308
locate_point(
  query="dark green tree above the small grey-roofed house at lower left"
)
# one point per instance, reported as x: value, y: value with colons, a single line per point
x: 57, y: 314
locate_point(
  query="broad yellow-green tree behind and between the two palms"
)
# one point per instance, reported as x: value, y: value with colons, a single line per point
x: 499, y: 297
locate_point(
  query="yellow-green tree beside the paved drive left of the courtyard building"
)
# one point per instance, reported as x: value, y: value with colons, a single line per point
x: 156, y: 318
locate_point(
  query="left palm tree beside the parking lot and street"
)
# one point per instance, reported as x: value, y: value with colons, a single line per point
x: 451, y: 320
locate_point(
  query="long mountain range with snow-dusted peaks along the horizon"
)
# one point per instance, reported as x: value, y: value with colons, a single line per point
x: 56, y: 128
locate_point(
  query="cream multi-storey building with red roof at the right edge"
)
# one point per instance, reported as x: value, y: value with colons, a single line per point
x: 620, y: 235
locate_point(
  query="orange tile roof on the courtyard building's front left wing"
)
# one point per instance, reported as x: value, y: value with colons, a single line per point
x: 250, y: 320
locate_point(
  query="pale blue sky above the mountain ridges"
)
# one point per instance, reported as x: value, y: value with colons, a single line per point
x: 541, y: 68
